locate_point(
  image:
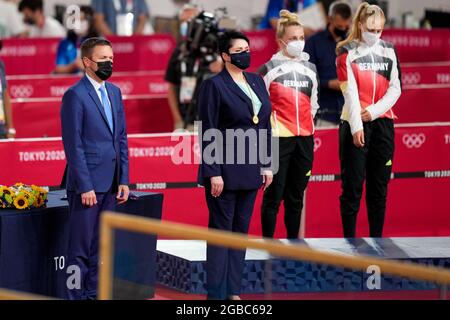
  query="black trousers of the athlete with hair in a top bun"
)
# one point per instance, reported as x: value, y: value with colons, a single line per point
x: 289, y: 184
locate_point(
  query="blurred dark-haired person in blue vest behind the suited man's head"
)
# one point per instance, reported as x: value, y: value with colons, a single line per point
x: 68, y: 58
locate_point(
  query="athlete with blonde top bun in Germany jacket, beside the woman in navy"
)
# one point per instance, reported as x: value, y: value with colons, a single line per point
x: 293, y: 85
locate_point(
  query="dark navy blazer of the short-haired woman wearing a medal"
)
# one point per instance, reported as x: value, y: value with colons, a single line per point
x: 223, y: 105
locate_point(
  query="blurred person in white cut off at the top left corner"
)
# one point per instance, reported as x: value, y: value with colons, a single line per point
x: 11, y: 24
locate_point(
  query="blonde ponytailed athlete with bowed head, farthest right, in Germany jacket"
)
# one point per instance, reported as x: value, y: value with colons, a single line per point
x: 369, y: 74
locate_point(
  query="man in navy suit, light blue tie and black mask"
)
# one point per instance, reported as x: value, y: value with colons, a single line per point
x: 95, y: 142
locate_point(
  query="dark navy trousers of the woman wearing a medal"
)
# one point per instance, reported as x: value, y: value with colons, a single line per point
x: 231, y: 211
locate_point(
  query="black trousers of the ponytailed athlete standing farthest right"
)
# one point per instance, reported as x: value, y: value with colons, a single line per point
x: 372, y: 164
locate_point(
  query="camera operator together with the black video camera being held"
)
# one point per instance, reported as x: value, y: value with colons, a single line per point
x: 194, y: 59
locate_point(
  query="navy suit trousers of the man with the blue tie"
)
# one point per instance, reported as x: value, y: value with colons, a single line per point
x: 83, y: 242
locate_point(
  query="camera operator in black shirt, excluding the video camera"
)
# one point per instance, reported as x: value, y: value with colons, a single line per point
x: 176, y: 71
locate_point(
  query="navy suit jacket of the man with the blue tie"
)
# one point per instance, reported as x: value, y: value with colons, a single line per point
x: 95, y: 155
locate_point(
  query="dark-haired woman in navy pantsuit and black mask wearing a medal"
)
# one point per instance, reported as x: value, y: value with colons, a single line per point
x: 233, y: 106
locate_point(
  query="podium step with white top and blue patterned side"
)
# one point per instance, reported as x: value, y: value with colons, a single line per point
x: 181, y: 266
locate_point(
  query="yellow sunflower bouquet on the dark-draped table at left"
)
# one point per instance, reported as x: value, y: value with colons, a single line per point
x: 21, y: 196
